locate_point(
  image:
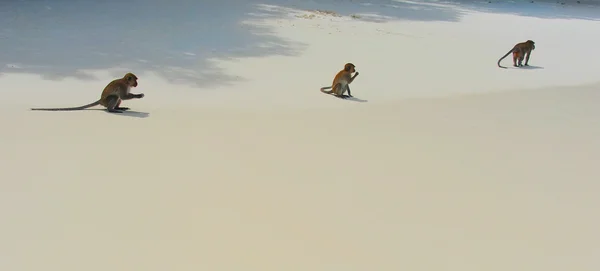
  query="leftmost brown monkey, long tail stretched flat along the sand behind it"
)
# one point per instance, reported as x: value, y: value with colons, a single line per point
x: 111, y: 97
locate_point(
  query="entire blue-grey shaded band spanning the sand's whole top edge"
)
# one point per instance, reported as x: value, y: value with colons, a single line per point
x: 178, y: 39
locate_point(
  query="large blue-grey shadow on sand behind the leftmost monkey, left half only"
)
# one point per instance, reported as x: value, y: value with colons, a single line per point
x: 175, y: 40
